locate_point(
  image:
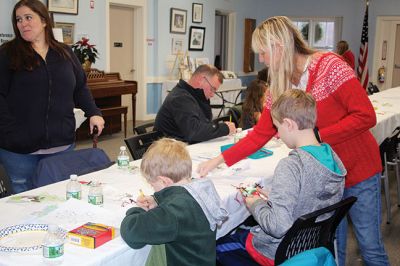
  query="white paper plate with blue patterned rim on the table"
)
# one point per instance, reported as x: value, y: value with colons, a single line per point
x: 24, y: 237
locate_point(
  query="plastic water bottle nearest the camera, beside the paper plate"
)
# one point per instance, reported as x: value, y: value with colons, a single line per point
x: 53, y: 243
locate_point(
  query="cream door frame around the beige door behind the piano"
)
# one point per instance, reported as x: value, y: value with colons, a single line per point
x: 139, y: 48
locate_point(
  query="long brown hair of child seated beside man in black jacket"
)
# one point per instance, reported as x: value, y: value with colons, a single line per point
x: 252, y: 104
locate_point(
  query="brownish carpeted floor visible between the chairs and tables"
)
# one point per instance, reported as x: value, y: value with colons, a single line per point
x: 390, y: 232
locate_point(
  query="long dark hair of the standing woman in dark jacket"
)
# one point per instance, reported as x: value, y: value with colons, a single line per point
x: 21, y: 52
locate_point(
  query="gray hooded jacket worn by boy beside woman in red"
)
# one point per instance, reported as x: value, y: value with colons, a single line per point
x: 301, y: 184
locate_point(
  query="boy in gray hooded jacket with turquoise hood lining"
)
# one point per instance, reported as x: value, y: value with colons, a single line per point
x: 310, y: 178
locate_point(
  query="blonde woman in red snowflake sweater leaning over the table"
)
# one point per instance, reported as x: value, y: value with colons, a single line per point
x: 344, y: 117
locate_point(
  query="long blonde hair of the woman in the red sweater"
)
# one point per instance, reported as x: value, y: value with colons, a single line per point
x: 280, y: 32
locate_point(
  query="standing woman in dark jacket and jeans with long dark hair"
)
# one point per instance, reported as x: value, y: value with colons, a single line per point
x: 41, y: 81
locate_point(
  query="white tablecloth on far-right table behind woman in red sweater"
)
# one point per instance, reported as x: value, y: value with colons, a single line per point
x: 387, y: 108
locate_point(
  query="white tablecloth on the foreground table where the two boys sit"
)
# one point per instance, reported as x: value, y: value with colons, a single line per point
x: 116, y: 183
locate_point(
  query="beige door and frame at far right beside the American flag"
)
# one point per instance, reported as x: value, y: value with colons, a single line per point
x: 385, y: 31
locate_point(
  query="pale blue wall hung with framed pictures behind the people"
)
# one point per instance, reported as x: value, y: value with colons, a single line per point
x: 92, y: 22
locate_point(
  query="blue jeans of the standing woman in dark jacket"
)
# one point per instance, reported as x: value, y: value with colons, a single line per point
x: 21, y: 167
